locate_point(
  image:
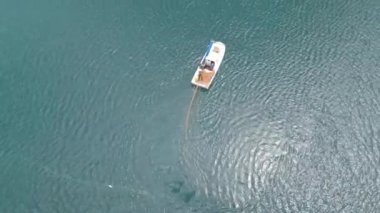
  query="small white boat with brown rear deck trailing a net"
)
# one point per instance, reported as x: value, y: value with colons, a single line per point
x: 209, y: 65
